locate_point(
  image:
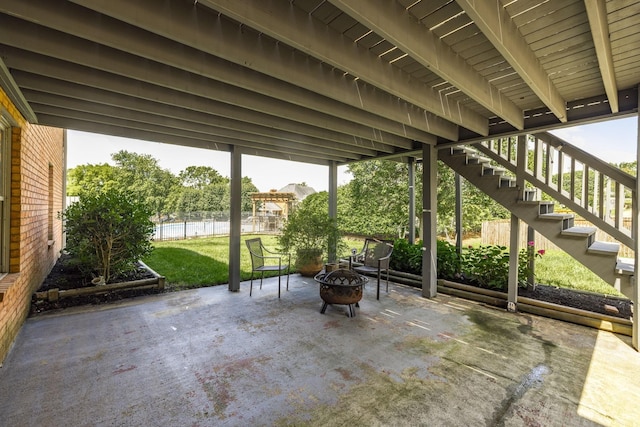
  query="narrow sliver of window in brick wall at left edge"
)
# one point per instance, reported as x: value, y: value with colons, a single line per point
x: 5, y: 185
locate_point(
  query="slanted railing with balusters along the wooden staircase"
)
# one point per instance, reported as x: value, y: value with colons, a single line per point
x: 586, y: 185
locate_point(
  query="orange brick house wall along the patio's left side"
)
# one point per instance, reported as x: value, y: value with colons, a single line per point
x: 37, y: 165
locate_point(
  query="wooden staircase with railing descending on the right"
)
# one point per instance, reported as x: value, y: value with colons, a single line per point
x: 507, y: 174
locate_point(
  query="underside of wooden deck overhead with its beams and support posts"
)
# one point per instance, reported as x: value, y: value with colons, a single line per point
x: 327, y: 82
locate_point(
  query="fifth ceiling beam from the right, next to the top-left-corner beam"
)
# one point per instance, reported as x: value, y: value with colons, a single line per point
x: 232, y: 43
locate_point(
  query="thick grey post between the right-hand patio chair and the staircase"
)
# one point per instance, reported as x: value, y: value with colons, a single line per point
x: 429, y: 206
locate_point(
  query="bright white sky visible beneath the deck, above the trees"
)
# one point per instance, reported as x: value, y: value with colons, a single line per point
x: 613, y: 141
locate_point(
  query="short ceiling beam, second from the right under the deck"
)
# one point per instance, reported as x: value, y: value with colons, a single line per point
x: 494, y: 22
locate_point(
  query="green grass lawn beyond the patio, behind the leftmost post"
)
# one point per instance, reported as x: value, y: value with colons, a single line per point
x: 202, y: 262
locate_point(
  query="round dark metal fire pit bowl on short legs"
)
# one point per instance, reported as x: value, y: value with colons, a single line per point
x: 342, y: 286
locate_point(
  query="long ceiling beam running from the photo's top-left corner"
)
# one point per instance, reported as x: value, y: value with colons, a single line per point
x: 69, y: 18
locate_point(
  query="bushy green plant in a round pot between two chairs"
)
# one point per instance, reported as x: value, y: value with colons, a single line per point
x: 309, y: 233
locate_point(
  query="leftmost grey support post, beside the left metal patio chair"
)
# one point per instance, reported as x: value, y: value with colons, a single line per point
x: 235, y: 220
